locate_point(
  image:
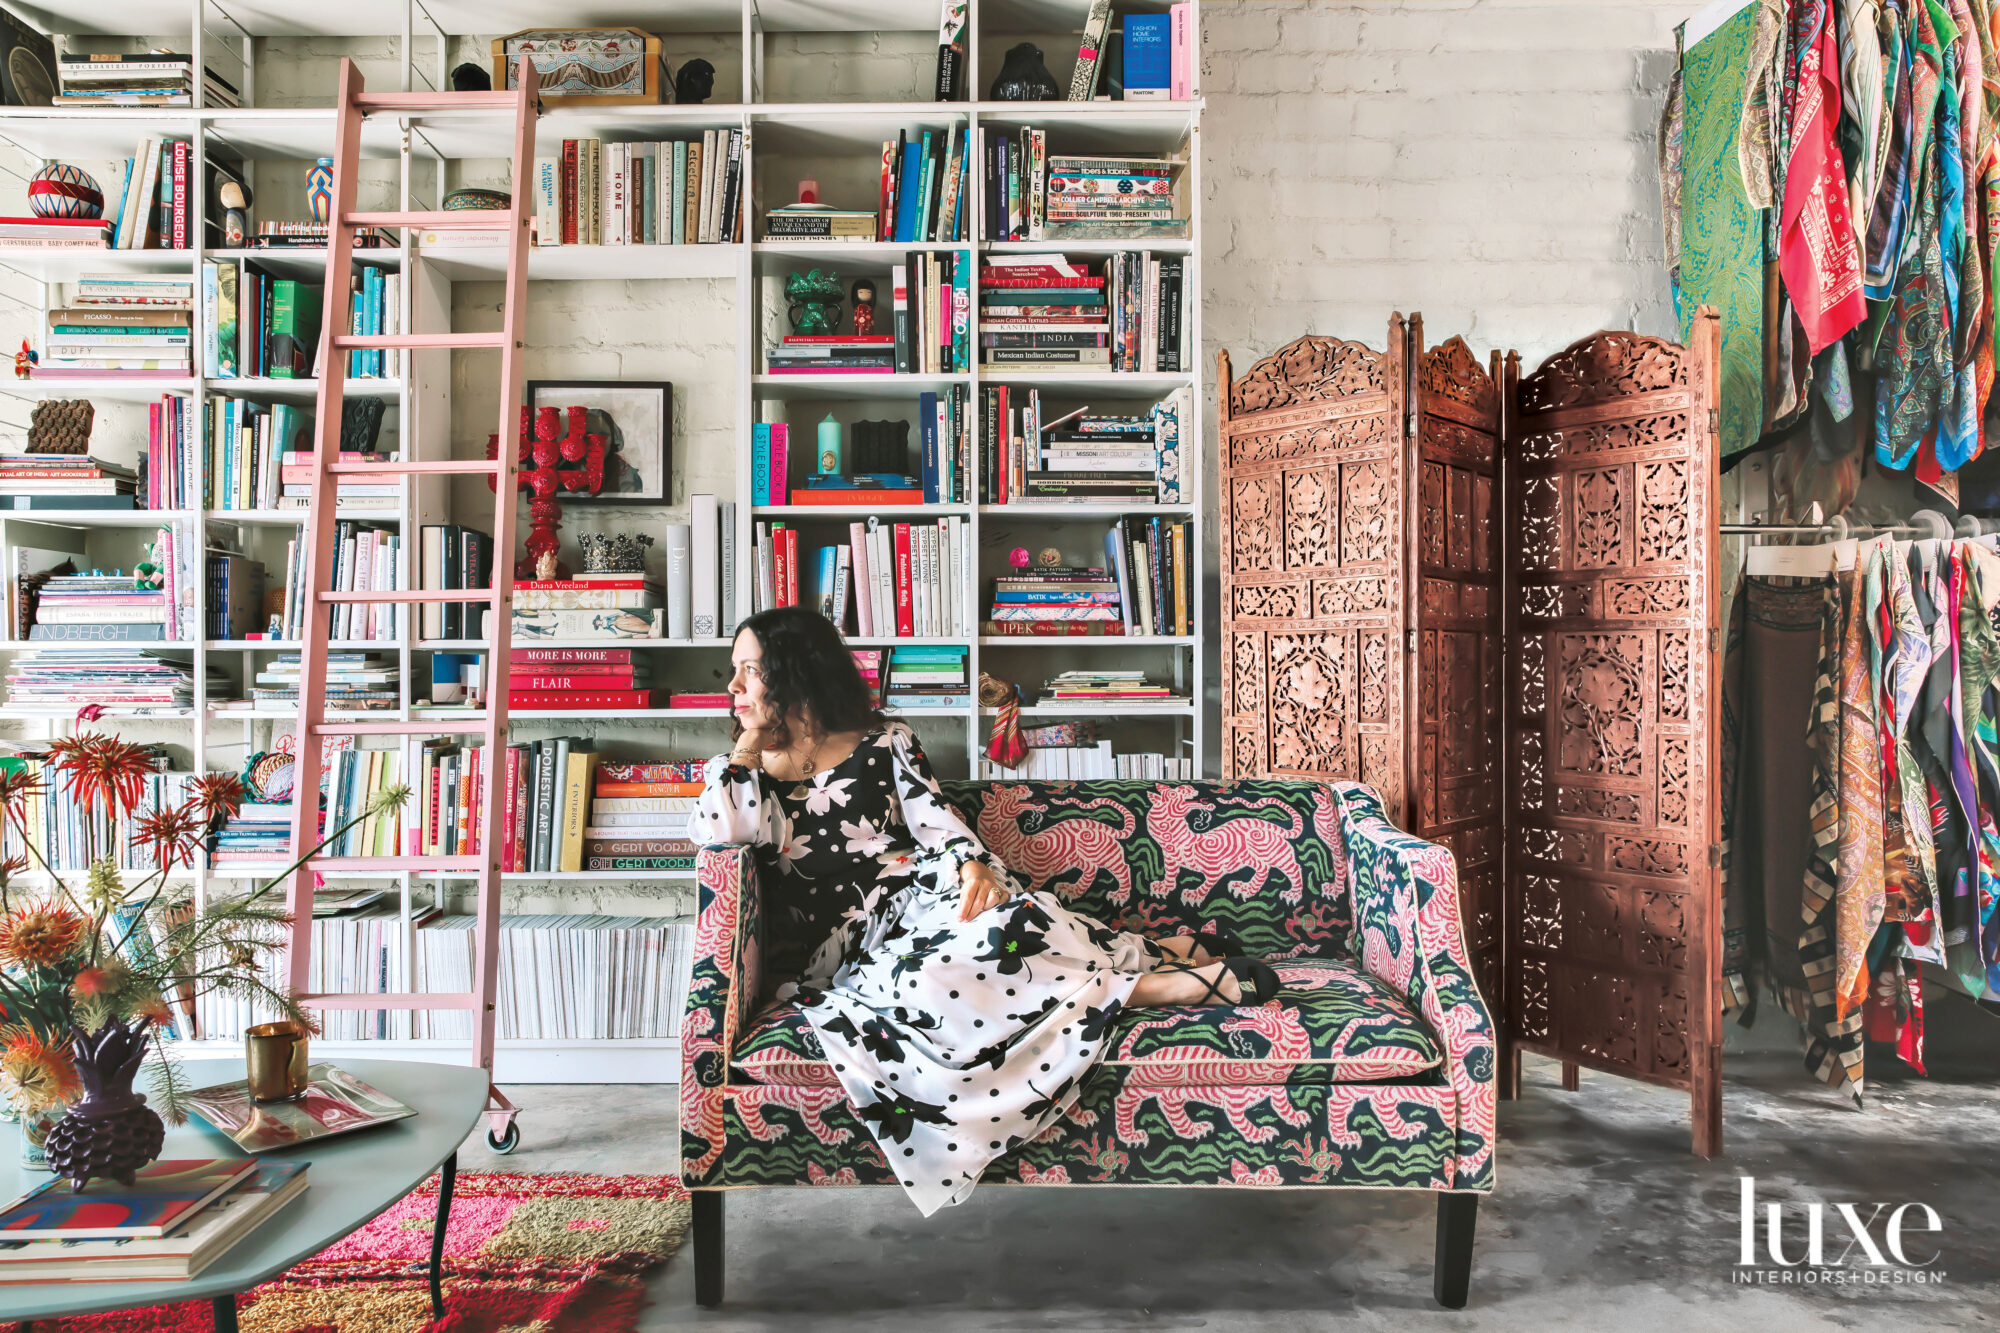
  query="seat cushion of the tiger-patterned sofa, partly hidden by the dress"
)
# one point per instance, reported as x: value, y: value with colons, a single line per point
x: 1331, y: 1024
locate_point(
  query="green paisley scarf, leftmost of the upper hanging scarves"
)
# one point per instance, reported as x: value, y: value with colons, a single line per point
x: 1721, y: 249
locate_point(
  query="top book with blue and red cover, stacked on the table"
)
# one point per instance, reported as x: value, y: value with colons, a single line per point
x: 161, y: 1200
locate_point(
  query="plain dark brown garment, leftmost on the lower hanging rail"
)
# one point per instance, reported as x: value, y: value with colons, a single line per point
x: 1769, y: 665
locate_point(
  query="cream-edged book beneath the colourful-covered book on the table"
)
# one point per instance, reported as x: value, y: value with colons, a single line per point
x: 181, y: 1256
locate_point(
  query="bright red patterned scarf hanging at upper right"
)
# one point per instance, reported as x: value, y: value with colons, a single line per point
x: 1817, y: 253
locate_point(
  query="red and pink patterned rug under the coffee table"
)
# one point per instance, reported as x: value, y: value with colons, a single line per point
x: 553, y: 1254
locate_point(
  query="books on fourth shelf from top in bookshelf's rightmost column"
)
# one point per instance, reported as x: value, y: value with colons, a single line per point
x: 1085, y: 457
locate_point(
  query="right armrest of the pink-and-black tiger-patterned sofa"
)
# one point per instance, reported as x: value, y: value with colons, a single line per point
x: 1409, y: 936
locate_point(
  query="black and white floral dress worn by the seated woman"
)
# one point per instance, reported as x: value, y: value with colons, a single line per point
x: 955, y: 1040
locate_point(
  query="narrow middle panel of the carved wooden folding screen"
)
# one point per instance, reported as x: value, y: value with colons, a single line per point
x: 1455, y: 800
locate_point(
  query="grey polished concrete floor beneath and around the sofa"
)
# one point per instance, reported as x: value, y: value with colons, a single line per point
x: 1601, y: 1218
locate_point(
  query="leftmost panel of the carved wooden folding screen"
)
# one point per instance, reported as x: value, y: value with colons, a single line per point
x: 1313, y: 577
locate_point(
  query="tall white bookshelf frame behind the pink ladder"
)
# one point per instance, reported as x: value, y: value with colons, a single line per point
x: 751, y: 43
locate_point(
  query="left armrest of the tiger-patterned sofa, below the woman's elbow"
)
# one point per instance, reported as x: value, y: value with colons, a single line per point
x: 721, y: 996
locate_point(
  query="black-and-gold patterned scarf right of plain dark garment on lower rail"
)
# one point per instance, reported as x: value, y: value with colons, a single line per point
x: 1833, y: 1040
